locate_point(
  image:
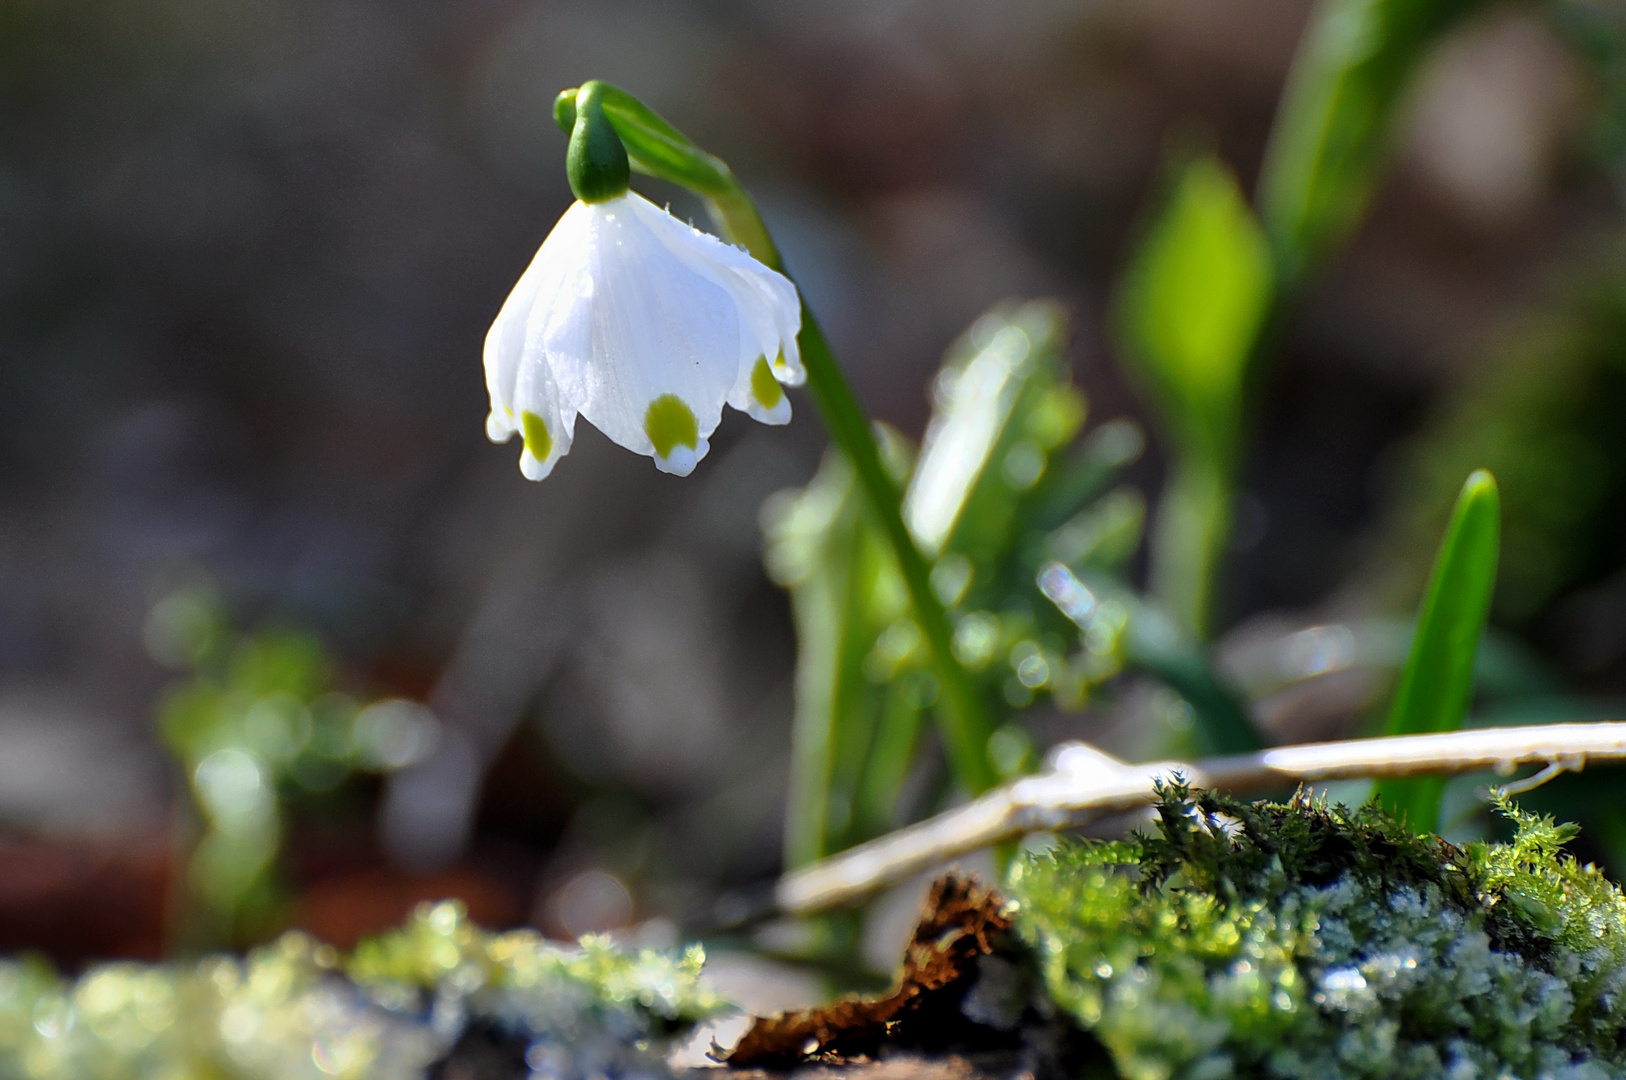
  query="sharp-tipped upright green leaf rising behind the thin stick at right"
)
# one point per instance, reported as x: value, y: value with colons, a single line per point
x: 1438, y: 681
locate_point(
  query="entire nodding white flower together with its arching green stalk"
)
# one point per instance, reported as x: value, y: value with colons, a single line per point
x: 648, y: 328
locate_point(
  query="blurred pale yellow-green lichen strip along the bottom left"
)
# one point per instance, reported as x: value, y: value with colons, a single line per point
x: 394, y: 1009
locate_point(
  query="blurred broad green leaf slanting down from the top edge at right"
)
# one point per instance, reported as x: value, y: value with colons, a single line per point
x: 1337, y: 115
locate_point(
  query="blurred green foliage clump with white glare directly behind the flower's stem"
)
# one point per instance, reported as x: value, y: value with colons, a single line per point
x: 989, y: 495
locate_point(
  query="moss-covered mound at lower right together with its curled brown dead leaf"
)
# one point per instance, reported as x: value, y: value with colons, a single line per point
x: 1261, y: 941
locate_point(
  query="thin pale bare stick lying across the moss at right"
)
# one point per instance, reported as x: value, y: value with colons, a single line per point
x: 1084, y: 785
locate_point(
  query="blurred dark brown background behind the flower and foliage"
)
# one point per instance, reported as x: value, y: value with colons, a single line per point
x: 250, y: 251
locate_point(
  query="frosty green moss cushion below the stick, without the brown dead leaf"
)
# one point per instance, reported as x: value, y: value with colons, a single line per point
x: 1311, y: 941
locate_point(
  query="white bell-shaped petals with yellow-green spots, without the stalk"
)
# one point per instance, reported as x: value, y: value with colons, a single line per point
x: 645, y: 326
